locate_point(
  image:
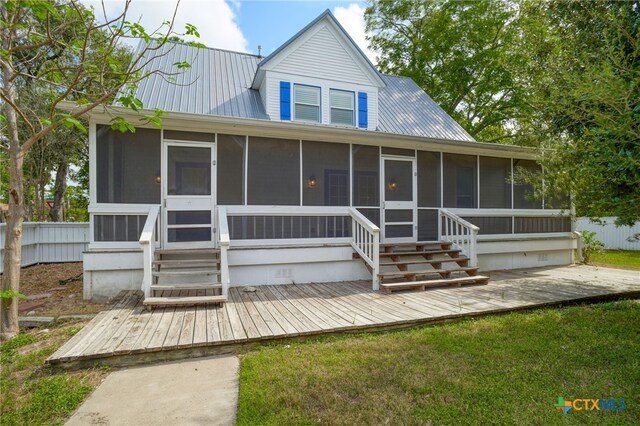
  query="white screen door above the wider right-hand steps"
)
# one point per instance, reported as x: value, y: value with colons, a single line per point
x: 399, y: 200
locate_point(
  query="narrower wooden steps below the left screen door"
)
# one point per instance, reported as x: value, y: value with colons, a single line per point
x: 186, y: 278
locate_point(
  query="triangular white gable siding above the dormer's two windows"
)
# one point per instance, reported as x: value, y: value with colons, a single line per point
x: 323, y: 56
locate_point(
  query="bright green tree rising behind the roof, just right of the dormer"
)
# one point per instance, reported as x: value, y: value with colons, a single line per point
x: 462, y: 53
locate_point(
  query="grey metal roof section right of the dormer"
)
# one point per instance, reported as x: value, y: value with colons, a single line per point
x: 404, y: 108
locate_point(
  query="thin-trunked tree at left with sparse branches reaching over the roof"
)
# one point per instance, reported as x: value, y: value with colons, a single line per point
x: 55, y: 45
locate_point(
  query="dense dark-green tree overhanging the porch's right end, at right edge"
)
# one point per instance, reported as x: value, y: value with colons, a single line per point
x: 587, y: 103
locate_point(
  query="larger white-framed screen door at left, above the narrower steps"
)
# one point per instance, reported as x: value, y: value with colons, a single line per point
x: 188, y: 193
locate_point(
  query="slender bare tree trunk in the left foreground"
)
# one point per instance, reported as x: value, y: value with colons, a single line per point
x: 15, y: 216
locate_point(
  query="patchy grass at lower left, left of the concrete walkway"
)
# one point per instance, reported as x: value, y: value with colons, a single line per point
x: 31, y: 392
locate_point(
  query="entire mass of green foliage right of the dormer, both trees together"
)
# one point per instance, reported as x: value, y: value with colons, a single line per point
x: 562, y: 76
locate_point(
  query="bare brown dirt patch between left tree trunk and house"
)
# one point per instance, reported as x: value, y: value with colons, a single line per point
x: 55, y: 289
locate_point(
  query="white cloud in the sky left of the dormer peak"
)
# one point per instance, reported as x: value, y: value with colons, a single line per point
x: 215, y: 20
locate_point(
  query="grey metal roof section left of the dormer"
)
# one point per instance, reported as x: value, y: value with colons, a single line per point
x: 216, y: 84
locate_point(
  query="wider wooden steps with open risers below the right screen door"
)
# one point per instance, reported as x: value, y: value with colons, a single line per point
x: 407, y: 266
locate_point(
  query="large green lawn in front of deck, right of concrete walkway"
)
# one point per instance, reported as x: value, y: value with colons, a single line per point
x: 507, y: 369
